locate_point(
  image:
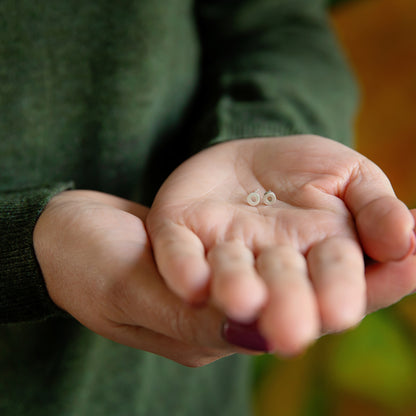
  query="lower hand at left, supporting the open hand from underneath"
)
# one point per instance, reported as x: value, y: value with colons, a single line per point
x: 96, y: 259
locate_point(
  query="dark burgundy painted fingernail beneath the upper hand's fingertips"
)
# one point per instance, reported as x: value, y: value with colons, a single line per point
x: 245, y: 335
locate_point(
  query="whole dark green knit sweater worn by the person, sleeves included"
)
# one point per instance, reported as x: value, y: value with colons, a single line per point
x: 111, y: 95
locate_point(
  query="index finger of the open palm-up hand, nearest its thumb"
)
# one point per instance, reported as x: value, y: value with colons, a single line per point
x: 336, y: 268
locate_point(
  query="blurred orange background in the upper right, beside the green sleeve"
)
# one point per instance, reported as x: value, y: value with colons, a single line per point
x: 379, y: 38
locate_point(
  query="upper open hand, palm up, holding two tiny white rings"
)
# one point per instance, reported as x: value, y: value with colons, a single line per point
x: 297, y: 266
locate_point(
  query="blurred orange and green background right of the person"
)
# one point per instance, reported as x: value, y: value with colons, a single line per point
x: 371, y: 370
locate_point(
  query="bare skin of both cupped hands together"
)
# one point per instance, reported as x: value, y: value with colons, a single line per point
x: 297, y: 266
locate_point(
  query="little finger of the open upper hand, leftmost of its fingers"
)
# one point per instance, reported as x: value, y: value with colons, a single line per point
x: 180, y: 257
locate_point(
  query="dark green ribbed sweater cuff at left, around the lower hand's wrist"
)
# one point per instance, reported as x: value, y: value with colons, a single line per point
x: 23, y: 294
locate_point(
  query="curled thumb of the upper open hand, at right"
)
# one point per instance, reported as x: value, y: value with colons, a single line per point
x: 384, y: 224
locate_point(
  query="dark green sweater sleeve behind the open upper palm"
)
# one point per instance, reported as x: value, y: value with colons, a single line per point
x: 272, y: 68
